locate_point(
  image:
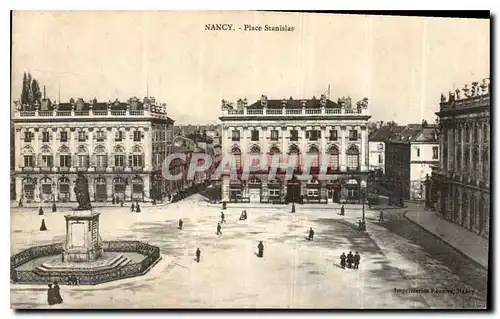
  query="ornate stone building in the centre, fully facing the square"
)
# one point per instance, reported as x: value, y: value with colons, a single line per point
x: 333, y: 133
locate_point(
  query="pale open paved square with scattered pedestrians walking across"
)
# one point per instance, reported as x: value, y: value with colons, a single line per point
x: 294, y: 272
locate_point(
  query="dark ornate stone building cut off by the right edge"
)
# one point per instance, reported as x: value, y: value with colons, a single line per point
x: 462, y: 181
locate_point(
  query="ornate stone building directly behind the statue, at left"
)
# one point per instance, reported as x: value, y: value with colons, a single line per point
x: 118, y: 146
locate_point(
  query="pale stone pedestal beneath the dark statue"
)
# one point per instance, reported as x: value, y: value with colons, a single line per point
x: 83, y: 243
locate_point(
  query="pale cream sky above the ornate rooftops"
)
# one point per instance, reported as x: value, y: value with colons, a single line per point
x: 401, y: 64
